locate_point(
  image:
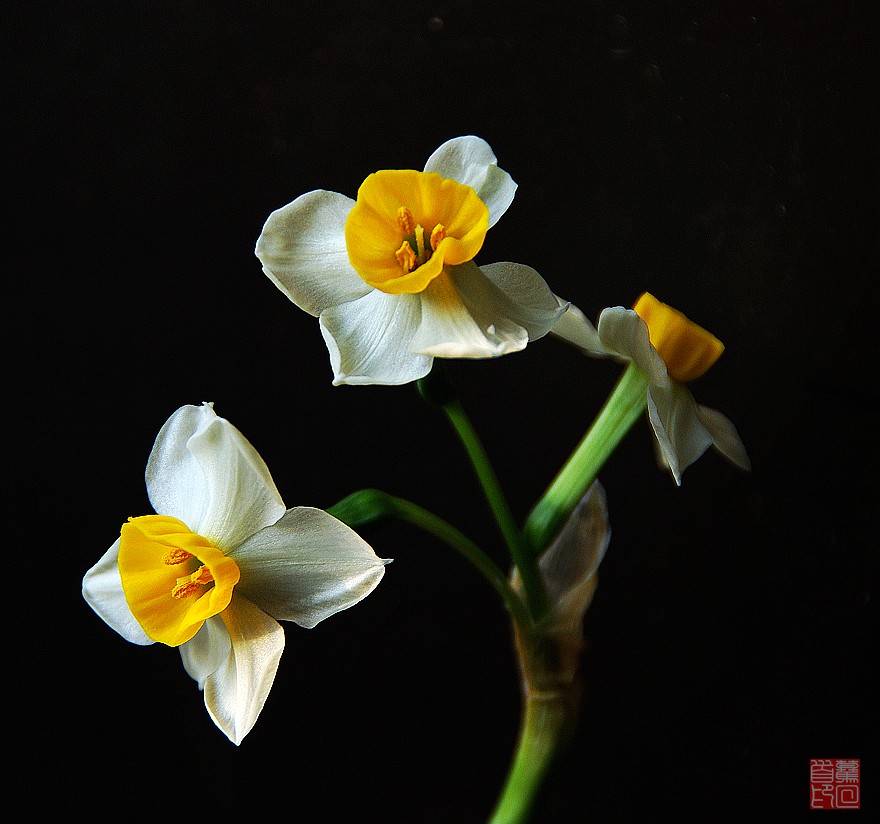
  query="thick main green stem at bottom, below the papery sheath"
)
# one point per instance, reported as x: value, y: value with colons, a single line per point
x: 545, y: 719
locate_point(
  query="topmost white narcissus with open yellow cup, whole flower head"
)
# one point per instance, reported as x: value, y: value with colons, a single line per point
x: 391, y: 276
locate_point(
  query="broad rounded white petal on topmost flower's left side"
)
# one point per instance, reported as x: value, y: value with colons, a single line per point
x: 302, y: 249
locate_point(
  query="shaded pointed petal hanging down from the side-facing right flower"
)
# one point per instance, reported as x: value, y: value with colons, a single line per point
x: 680, y: 434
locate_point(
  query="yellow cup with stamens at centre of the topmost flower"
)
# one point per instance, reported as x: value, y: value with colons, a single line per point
x: 406, y: 226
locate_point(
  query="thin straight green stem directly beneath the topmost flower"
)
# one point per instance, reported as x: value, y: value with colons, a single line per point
x: 523, y: 557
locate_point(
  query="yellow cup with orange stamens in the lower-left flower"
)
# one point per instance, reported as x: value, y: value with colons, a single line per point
x: 173, y: 579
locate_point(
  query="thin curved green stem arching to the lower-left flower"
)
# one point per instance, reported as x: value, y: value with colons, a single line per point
x: 370, y: 505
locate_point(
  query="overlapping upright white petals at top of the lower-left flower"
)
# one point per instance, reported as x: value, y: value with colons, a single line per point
x: 203, y: 471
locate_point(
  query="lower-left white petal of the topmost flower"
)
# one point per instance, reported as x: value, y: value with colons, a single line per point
x: 370, y: 340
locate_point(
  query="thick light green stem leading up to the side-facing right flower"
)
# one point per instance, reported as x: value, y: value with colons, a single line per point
x: 624, y: 406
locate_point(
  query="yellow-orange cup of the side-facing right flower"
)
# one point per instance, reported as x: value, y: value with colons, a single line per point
x: 687, y: 349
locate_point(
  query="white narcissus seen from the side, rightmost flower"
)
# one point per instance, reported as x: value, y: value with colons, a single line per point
x: 671, y: 351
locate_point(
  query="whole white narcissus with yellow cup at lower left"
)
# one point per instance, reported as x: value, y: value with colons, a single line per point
x: 221, y: 562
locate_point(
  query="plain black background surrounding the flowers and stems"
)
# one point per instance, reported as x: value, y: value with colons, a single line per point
x: 722, y: 156
